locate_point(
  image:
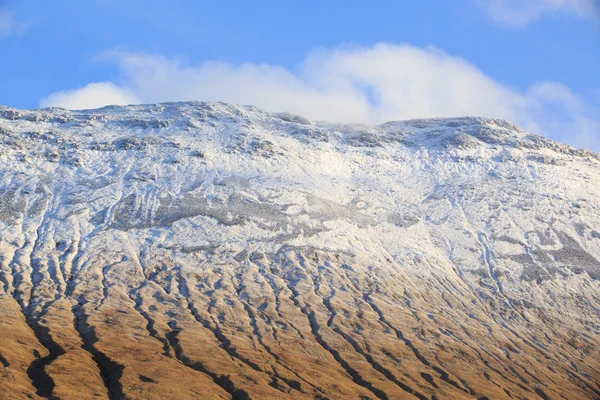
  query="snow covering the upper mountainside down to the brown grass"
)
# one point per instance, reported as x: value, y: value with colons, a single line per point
x: 507, y: 214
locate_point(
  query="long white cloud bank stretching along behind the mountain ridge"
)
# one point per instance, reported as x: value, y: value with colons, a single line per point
x: 373, y: 85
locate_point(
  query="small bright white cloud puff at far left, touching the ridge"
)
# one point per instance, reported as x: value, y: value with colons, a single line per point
x: 94, y: 95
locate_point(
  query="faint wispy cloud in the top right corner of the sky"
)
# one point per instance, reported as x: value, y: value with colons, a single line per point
x: 518, y: 13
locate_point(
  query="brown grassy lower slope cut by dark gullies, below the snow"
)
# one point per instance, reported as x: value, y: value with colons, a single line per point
x: 306, y: 326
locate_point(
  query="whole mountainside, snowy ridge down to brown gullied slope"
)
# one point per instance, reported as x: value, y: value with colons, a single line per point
x: 209, y: 251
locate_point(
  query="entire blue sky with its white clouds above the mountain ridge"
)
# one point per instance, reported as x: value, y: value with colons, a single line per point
x: 532, y: 62
